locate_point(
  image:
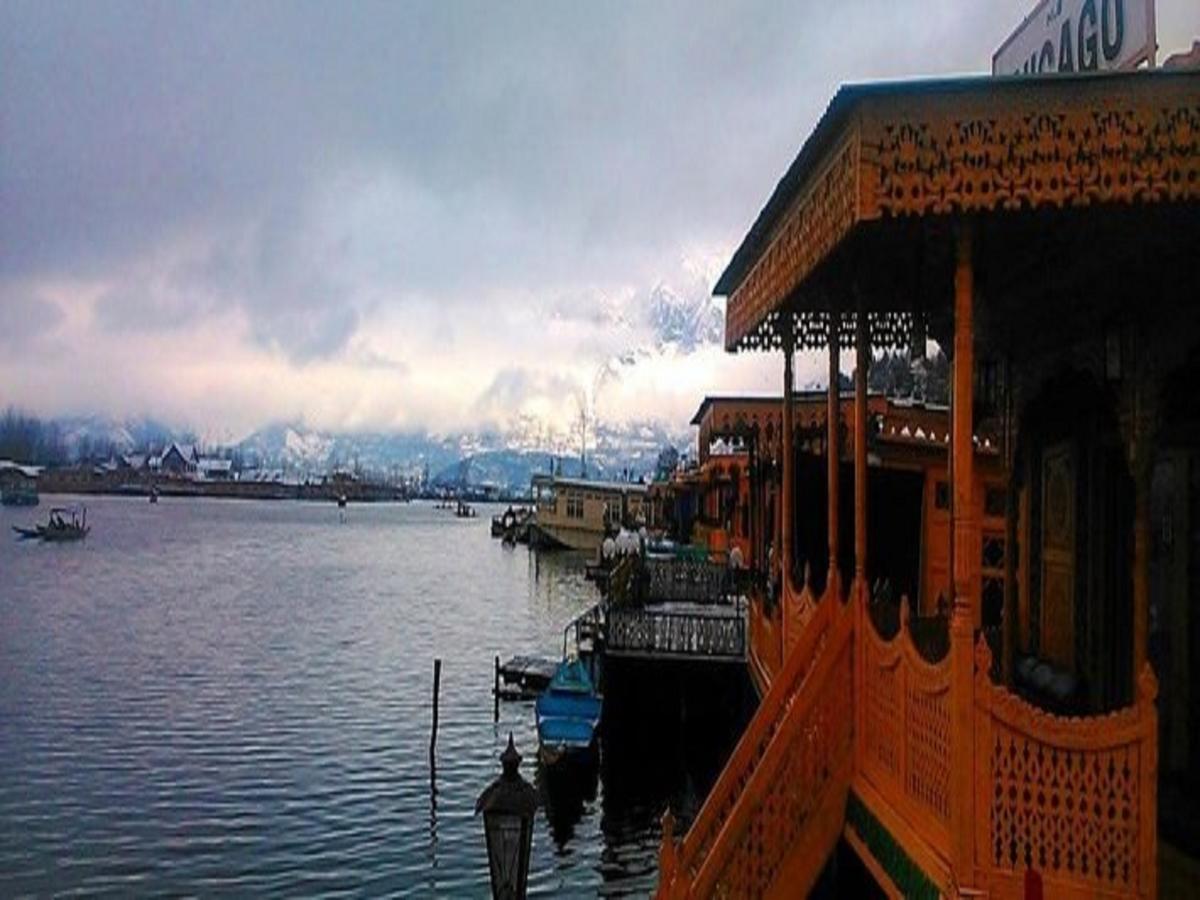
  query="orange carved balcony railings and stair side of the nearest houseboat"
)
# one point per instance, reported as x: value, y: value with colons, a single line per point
x: 856, y: 737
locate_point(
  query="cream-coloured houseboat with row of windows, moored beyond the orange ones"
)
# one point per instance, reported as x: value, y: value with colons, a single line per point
x: 578, y: 514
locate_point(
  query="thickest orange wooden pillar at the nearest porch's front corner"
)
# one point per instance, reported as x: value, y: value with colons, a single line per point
x: 967, y: 561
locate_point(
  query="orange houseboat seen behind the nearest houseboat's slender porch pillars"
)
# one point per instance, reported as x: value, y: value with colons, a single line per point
x: 736, y: 491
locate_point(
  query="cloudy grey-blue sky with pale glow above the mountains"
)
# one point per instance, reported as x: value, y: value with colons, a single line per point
x: 413, y: 215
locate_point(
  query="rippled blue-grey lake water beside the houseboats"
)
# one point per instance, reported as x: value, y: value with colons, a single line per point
x: 224, y: 697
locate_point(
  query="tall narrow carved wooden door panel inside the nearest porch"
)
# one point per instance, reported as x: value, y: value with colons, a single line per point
x: 1059, y: 489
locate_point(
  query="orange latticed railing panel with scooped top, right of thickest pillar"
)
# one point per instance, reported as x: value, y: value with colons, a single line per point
x: 1071, y: 799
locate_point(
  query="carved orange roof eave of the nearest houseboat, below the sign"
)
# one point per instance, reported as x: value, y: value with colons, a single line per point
x: 956, y: 147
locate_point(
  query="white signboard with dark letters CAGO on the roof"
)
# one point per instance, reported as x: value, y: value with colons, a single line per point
x: 1079, y: 37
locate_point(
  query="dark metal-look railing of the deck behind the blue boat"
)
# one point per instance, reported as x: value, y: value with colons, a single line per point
x: 653, y: 632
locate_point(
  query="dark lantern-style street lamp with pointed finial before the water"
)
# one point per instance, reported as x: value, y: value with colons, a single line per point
x: 508, y: 806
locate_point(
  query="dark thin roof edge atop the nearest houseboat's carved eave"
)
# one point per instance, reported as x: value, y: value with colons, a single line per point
x: 838, y: 113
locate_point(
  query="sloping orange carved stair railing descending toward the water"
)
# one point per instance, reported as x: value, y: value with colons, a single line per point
x: 784, y: 775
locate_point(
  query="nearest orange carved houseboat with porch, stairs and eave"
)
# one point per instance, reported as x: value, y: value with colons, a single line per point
x: 1046, y: 233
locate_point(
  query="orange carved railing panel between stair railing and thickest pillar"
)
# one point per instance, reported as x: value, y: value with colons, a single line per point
x: 903, y: 742
